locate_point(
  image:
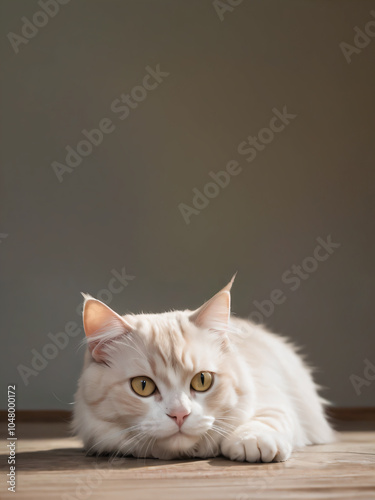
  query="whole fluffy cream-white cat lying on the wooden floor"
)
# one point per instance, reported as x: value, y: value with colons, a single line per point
x: 193, y: 384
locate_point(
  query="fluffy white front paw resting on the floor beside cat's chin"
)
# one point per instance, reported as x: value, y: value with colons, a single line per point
x: 256, y: 447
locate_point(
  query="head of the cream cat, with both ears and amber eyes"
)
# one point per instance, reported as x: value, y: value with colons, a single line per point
x: 165, y: 384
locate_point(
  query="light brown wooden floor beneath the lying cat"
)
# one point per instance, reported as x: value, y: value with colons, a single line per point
x: 51, y: 465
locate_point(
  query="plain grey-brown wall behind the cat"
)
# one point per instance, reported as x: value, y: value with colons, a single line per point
x: 119, y: 207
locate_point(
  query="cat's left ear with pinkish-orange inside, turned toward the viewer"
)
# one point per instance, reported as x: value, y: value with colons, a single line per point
x: 102, y: 326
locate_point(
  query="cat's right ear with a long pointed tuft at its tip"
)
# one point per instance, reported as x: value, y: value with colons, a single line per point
x: 215, y: 313
